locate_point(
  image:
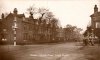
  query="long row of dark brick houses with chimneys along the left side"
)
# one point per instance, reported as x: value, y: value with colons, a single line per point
x: 17, y: 28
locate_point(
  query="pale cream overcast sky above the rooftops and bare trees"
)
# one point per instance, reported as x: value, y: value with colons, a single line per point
x: 74, y: 12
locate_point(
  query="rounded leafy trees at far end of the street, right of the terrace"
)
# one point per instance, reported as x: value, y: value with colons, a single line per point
x: 73, y: 33
